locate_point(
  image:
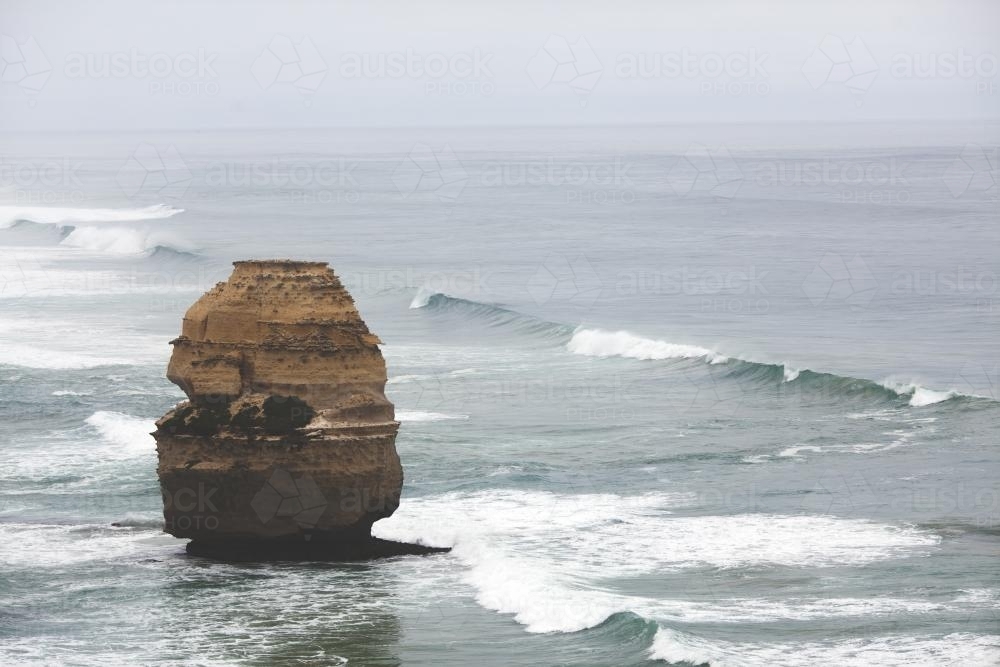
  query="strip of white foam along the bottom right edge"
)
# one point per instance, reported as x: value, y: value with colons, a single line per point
x: 954, y: 649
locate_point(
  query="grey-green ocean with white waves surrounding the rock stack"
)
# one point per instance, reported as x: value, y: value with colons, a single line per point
x: 700, y: 395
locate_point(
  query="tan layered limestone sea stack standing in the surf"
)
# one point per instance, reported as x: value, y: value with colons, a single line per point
x: 286, y: 444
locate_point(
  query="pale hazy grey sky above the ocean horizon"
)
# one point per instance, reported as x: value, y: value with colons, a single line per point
x: 163, y: 65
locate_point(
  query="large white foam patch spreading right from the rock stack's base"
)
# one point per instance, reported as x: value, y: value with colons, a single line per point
x: 547, y: 574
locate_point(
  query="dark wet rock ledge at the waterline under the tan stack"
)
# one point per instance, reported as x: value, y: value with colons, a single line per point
x: 245, y: 551
